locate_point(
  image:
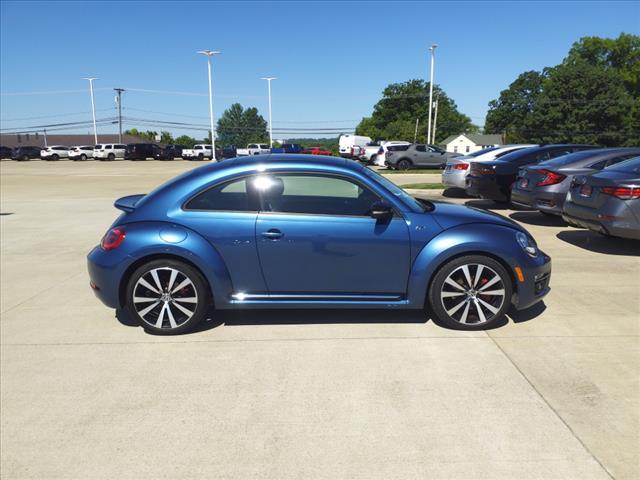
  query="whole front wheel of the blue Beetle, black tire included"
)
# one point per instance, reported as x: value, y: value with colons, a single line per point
x: 461, y: 307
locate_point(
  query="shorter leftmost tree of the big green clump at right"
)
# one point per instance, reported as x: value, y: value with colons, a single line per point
x: 511, y: 112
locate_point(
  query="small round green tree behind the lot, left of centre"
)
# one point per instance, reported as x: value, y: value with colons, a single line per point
x: 239, y: 127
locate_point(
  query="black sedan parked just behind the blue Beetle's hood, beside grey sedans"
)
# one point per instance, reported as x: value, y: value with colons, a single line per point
x: 493, y: 180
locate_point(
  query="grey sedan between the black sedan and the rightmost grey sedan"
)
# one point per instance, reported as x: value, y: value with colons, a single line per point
x: 544, y: 186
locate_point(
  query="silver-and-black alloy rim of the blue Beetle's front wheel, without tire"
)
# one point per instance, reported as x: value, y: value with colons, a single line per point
x: 473, y: 294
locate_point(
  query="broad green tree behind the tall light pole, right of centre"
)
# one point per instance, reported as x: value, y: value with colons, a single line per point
x: 394, y: 116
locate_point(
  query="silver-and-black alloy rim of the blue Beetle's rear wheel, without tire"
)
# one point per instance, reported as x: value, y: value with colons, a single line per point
x: 165, y: 298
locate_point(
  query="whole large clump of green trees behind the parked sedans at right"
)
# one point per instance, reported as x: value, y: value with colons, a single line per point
x: 593, y: 97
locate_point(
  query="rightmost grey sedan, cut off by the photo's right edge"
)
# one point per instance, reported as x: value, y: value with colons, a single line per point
x: 607, y: 202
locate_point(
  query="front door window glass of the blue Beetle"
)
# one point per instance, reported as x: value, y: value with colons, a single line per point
x: 314, y: 195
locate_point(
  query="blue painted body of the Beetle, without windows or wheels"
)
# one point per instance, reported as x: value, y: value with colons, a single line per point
x: 320, y: 261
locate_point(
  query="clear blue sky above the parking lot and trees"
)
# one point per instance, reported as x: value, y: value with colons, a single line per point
x: 332, y: 59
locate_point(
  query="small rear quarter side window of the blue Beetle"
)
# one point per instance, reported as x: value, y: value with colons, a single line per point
x: 230, y: 196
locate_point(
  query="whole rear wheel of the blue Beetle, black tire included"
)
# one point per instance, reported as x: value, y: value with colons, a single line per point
x: 166, y: 314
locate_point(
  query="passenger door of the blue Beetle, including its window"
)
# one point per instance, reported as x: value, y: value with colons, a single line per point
x: 315, y: 237
